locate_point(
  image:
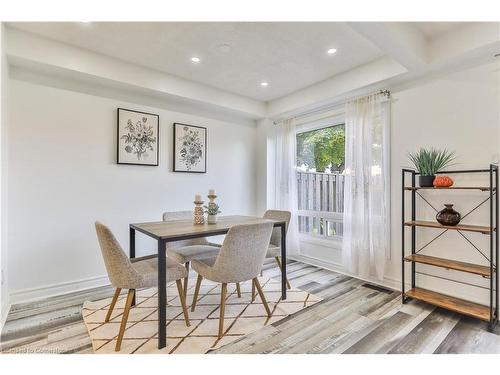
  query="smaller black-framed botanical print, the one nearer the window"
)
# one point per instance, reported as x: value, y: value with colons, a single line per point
x: 190, y: 148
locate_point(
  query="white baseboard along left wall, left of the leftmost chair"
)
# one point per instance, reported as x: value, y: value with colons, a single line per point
x: 33, y: 294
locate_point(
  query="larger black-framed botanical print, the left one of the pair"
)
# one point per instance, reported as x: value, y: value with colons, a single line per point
x: 138, y: 137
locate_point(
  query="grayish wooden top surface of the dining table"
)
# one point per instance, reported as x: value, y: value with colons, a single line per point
x: 184, y: 229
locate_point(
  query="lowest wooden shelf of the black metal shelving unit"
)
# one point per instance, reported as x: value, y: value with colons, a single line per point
x: 451, y: 303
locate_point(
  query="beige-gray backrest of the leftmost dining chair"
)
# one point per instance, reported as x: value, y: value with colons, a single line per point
x: 118, y: 265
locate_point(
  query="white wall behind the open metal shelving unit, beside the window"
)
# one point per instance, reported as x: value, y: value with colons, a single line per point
x: 458, y: 112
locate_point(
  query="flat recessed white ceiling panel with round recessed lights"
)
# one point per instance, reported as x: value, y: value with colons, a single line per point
x: 290, y: 56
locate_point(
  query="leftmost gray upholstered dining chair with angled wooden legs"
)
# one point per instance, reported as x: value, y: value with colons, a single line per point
x: 141, y: 273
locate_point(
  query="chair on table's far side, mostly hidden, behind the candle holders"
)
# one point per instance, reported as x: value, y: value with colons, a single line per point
x: 185, y: 251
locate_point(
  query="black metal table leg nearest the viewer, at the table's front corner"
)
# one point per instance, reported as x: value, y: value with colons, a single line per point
x: 162, y: 295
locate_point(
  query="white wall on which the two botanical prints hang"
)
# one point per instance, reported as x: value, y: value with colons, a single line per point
x: 64, y: 176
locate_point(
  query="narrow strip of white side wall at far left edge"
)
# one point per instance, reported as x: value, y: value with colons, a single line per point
x: 4, y: 84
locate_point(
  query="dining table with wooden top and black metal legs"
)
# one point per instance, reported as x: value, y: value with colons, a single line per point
x: 177, y: 230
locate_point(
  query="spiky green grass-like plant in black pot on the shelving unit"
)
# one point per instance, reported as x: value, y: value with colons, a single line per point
x: 430, y: 161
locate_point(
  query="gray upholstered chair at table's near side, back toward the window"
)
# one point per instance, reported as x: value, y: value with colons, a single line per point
x: 240, y: 259
